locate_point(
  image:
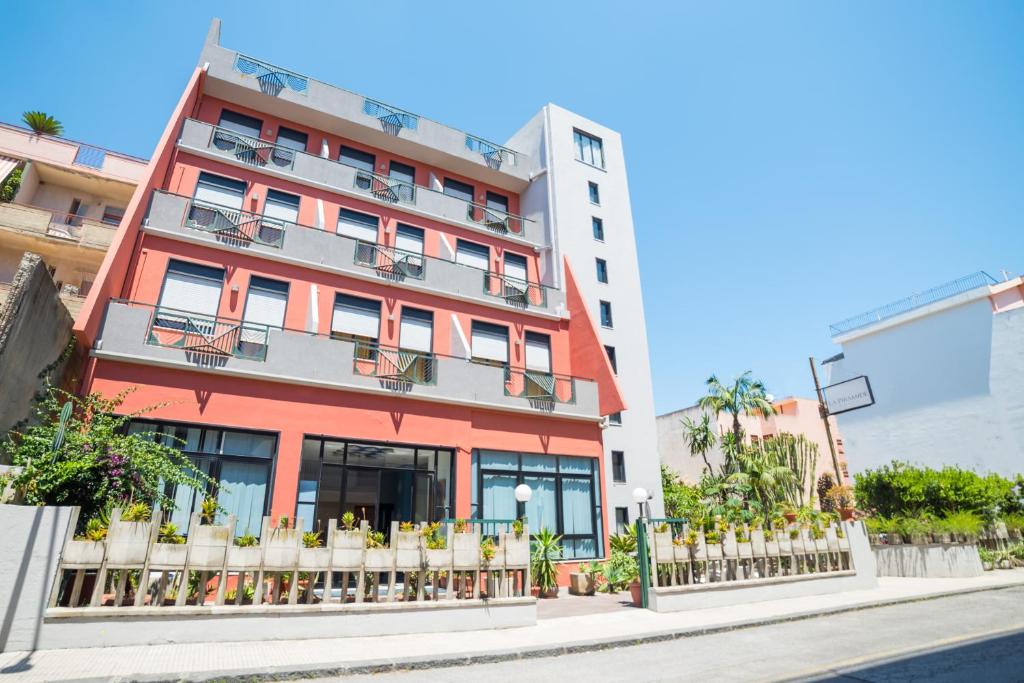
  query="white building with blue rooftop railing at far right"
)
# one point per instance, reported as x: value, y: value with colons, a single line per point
x: 947, y: 372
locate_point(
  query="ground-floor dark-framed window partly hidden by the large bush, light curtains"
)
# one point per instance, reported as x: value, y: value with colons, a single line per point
x: 239, y: 461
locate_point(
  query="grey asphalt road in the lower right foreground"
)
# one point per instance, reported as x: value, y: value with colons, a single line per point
x: 977, y: 638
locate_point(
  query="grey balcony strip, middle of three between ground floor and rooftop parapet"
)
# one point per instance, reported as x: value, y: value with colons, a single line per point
x: 183, y: 219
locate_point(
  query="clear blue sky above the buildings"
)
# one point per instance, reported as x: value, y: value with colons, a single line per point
x: 791, y: 163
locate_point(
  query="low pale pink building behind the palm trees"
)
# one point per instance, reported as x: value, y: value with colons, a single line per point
x: 793, y: 416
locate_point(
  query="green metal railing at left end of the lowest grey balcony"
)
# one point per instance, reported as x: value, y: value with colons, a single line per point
x: 210, y: 336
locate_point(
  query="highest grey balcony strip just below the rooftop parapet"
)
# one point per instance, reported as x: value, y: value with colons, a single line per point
x: 216, y: 143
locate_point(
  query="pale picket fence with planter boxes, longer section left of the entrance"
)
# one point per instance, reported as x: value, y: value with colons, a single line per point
x: 132, y: 569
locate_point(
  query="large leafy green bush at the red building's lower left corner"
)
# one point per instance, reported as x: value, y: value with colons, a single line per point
x: 99, y: 465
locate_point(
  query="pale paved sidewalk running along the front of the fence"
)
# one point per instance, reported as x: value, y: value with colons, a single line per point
x: 550, y: 636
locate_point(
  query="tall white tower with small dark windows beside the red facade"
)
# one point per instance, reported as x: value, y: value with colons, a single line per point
x: 563, y: 194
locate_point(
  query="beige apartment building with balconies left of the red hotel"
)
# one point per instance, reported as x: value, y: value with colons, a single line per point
x: 70, y: 202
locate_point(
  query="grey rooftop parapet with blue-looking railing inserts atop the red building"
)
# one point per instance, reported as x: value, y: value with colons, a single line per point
x: 279, y: 92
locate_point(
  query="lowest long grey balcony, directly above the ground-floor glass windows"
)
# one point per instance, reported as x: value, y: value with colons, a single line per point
x: 146, y: 334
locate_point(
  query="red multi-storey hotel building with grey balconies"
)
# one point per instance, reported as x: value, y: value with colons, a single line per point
x: 345, y: 307
